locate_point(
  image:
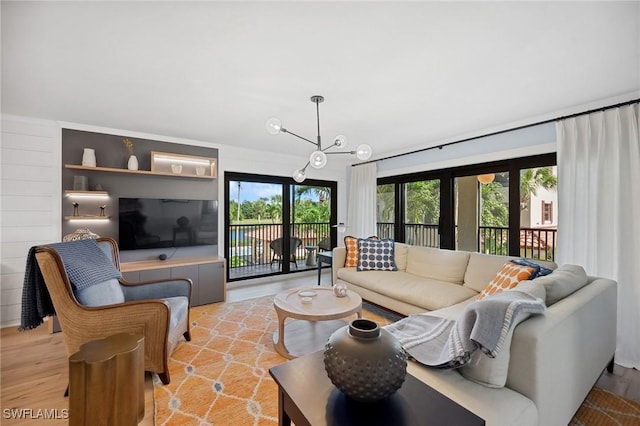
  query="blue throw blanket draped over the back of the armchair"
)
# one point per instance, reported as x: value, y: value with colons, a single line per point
x: 85, y: 263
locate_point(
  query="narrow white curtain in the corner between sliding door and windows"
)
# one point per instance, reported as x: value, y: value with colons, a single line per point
x: 361, y: 218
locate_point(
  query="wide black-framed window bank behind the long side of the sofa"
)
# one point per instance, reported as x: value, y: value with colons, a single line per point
x: 488, y: 207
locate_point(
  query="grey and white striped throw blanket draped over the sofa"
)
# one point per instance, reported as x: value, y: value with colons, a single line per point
x: 484, y: 325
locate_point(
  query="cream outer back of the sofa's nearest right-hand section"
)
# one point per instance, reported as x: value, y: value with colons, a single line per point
x: 558, y: 356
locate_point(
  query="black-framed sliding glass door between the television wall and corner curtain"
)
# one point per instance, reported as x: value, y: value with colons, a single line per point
x: 276, y: 226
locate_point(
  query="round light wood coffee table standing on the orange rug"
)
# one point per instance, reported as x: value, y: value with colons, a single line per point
x: 313, y: 322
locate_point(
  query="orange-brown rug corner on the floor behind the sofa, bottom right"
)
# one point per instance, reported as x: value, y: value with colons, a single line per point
x: 603, y: 408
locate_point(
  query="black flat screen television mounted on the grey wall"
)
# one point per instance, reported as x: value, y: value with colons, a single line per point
x: 146, y: 223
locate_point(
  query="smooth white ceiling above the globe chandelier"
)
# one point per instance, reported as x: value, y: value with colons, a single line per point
x: 396, y: 75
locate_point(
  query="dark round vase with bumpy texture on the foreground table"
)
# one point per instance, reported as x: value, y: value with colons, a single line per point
x: 365, y: 361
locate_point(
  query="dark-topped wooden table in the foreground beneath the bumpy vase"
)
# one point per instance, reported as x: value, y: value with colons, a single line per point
x: 306, y: 396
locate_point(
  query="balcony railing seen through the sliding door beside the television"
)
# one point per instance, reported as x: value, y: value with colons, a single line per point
x: 249, y: 244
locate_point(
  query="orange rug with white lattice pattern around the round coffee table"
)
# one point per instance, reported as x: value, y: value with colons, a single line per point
x: 222, y: 376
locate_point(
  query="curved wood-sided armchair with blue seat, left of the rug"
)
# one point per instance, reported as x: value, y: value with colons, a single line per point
x: 147, y: 310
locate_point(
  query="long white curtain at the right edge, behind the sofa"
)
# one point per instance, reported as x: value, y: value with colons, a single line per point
x: 599, y: 209
